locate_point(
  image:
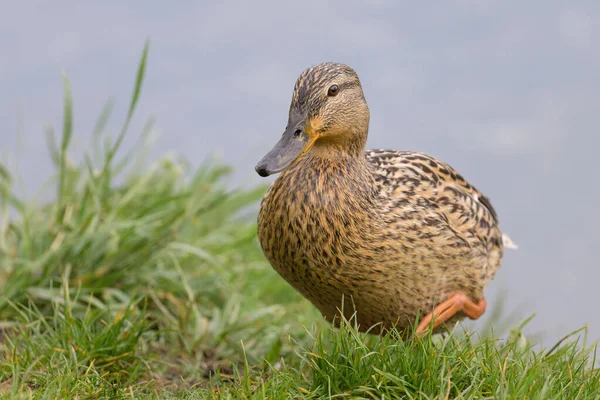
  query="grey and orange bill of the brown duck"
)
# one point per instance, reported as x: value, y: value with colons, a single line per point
x: 292, y: 145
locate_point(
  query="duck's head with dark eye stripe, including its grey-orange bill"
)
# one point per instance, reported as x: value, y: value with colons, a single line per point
x: 328, y: 112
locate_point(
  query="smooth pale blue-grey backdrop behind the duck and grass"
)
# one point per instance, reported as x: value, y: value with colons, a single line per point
x: 507, y: 92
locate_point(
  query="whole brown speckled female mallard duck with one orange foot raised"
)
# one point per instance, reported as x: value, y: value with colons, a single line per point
x: 384, y: 235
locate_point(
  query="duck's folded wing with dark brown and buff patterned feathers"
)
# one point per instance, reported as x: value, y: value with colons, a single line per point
x: 423, y: 190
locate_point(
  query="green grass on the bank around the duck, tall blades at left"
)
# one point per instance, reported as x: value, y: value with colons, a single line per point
x: 148, y: 282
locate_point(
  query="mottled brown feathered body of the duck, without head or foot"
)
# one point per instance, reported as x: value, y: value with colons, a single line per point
x: 397, y: 235
